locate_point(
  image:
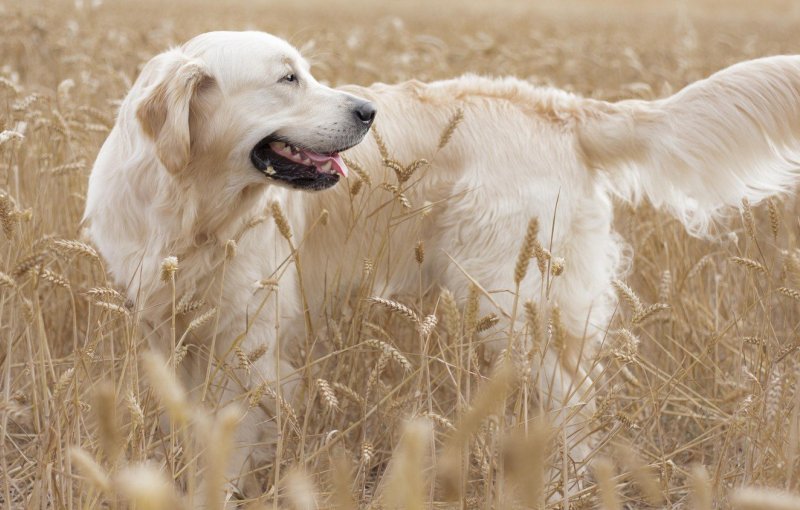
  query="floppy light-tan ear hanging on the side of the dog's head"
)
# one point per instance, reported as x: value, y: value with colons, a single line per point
x: 167, y: 104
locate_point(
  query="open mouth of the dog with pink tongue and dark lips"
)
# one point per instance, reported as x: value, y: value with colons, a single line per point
x: 296, y: 166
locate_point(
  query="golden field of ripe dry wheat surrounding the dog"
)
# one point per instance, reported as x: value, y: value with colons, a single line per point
x: 698, y: 405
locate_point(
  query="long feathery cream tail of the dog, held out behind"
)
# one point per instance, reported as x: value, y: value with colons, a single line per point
x: 731, y: 136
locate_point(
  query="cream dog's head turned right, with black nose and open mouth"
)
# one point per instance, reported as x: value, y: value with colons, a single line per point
x: 243, y: 107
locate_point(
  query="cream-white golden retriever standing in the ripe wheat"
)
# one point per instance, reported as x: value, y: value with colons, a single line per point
x: 214, y: 132
